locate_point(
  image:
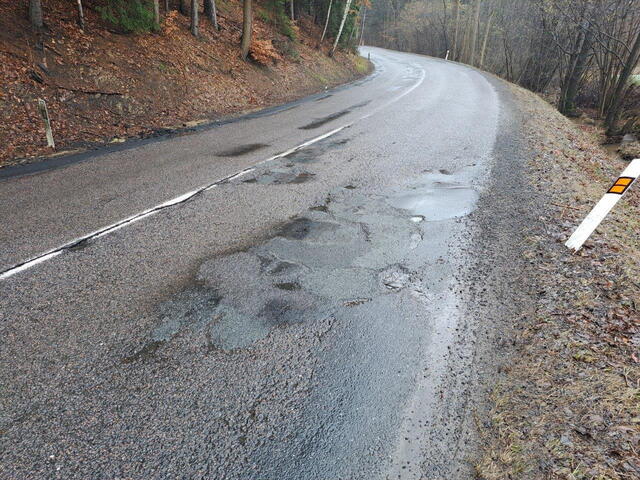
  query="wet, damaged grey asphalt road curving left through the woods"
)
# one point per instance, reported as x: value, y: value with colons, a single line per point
x: 304, y: 320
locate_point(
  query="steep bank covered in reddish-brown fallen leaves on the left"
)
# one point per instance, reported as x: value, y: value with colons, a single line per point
x: 102, y: 86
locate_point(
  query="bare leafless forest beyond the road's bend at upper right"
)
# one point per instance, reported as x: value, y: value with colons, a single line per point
x: 583, y: 53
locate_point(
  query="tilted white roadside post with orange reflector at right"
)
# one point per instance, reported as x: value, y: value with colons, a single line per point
x: 604, y: 206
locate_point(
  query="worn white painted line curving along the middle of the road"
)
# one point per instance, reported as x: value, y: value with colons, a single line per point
x: 187, y: 196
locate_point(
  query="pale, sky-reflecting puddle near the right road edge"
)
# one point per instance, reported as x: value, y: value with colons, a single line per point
x: 437, y: 201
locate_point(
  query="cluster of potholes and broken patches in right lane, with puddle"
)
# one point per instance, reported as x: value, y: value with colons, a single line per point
x: 350, y: 250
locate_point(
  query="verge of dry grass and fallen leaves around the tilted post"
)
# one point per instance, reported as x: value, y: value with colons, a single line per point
x: 567, y: 405
